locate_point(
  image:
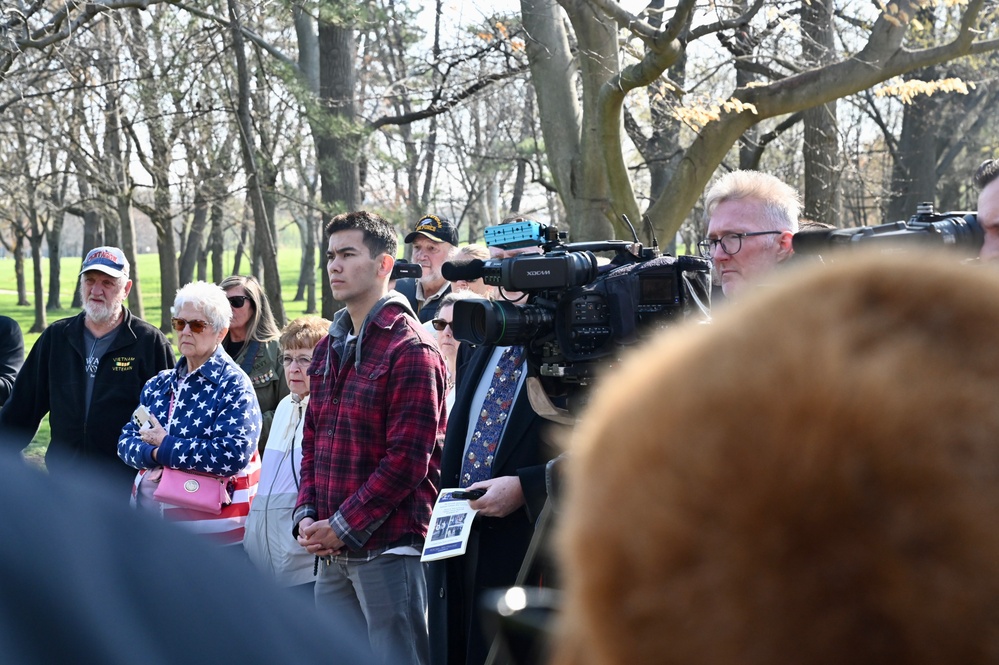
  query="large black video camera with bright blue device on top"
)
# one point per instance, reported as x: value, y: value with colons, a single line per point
x: 578, y: 313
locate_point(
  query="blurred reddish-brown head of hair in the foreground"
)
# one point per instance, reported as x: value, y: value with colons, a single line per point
x: 812, y: 478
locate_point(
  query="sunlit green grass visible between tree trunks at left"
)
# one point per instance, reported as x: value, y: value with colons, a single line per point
x: 147, y: 270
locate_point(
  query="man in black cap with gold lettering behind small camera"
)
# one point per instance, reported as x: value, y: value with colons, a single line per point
x: 434, y: 241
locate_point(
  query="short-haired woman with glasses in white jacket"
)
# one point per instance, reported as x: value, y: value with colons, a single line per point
x: 268, y: 540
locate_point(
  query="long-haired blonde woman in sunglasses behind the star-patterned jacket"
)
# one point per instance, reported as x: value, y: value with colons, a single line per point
x: 253, y: 343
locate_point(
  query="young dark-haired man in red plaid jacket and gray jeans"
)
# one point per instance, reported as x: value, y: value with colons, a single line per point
x: 373, y: 433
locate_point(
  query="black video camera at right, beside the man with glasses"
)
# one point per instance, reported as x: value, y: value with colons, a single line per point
x: 957, y: 230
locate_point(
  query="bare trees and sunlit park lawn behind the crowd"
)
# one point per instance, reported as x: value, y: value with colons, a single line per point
x: 190, y: 134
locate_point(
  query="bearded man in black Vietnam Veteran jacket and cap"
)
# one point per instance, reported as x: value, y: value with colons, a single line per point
x: 86, y: 373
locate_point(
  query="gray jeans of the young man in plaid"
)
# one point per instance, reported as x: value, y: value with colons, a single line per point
x: 387, y: 597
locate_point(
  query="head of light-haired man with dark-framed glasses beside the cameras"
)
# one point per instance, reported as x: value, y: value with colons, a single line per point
x: 752, y: 217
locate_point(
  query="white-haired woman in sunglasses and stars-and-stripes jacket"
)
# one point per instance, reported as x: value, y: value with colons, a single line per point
x: 203, y: 417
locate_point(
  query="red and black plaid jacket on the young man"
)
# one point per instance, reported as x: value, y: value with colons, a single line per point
x: 373, y: 435
